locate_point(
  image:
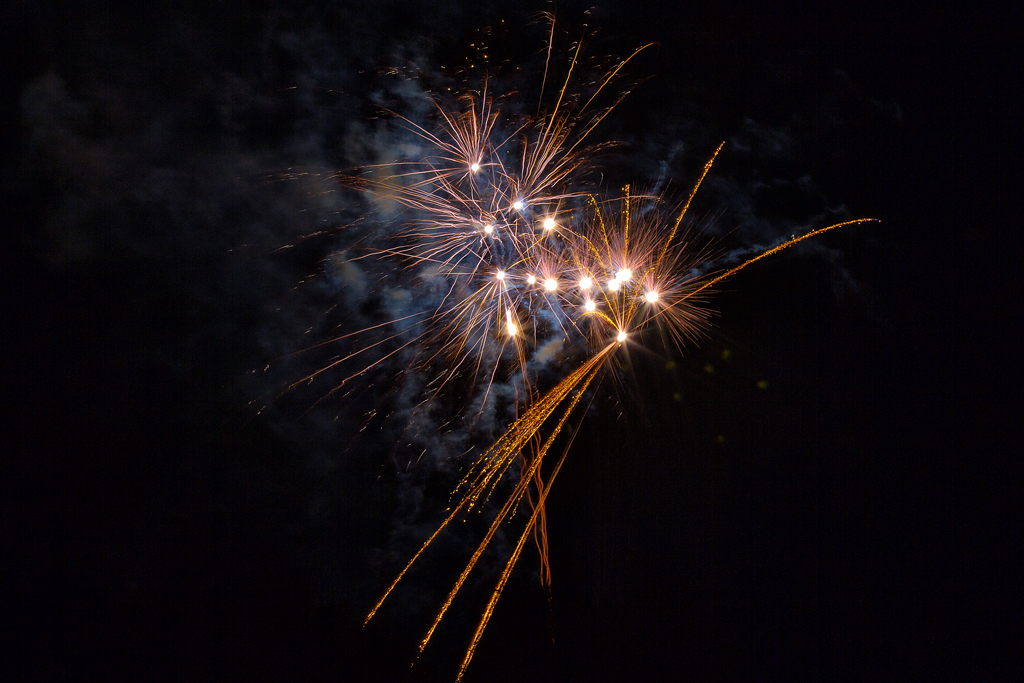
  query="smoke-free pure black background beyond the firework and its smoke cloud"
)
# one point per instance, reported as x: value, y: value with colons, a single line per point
x: 852, y: 522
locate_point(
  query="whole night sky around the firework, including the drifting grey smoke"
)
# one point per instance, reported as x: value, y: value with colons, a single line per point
x: 823, y: 489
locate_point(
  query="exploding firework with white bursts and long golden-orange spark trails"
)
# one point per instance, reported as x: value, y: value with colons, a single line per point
x: 496, y: 217
